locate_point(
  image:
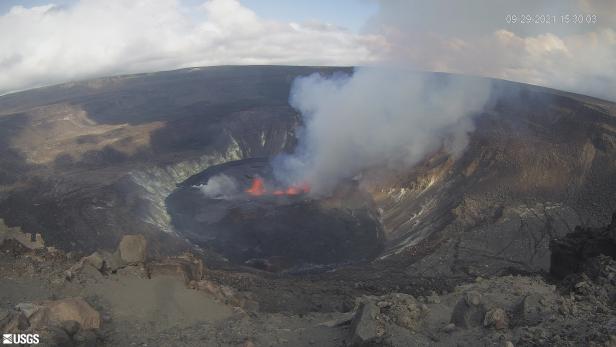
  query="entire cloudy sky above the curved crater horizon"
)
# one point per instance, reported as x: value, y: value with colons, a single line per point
x: 45, y: 42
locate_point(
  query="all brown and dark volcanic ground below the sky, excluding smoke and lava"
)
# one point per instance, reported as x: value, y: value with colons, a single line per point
x: 467, y: 249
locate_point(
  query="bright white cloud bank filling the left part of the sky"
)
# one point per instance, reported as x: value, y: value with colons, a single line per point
x: 51, y: 44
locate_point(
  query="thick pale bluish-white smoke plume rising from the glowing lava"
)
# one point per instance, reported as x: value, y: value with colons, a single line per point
x: 376, y: 118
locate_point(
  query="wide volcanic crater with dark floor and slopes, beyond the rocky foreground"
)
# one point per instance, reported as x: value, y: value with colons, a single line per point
x: 538, y: 162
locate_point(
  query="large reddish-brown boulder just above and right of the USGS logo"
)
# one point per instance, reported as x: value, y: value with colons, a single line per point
x: 54, y: 313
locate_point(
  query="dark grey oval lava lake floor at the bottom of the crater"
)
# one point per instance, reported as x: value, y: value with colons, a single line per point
x: 274, y: 231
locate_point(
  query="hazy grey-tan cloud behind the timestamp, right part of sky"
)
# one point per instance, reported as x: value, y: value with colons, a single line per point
x: 472, y: 37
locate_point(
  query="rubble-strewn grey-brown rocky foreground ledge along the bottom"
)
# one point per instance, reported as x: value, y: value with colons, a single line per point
x: 118, y: 298
